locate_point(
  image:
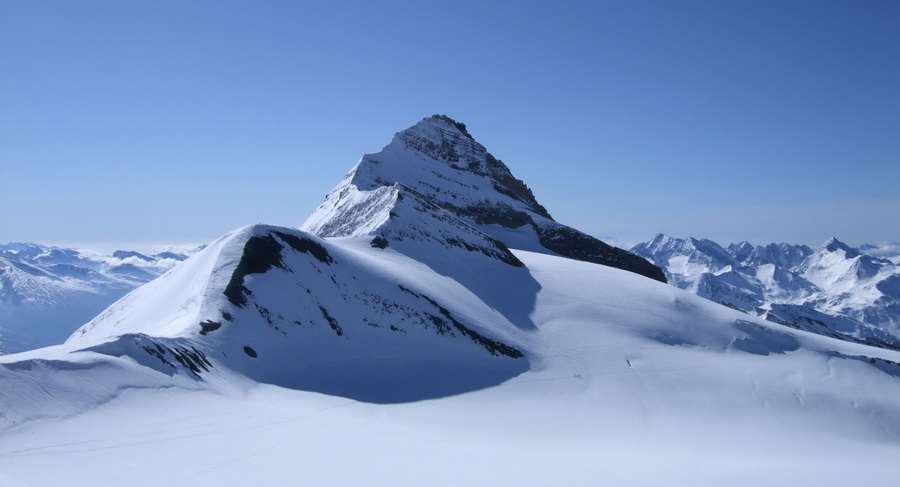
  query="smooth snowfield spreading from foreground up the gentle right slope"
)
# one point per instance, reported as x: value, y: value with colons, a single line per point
x: 629, y: 382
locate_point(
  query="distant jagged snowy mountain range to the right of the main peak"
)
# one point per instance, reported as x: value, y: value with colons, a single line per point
x: 835, y: 291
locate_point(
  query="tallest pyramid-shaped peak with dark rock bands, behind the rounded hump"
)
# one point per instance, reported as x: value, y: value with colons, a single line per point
x: 439, y: 164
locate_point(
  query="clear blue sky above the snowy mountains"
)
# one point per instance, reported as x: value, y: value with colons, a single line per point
x: 125, y: 122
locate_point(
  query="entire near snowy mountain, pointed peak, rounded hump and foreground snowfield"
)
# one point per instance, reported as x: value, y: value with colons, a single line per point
x: 431, y: 323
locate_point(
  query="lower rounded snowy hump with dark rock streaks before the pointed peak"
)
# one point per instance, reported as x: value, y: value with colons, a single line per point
x: 260, y: 297
